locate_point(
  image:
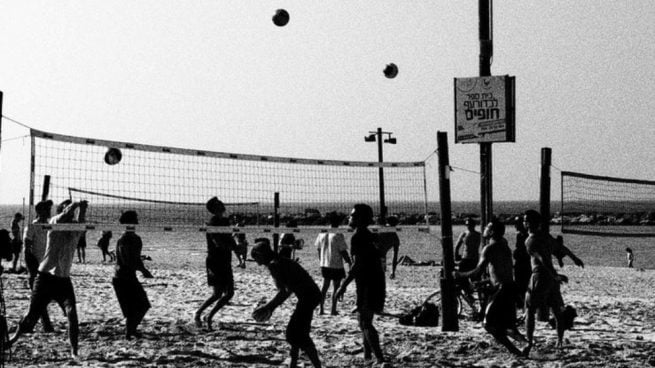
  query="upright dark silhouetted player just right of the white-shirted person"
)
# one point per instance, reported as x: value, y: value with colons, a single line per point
x: 369, y: 278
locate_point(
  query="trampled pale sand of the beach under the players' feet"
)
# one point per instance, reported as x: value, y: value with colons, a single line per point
x: 615, y: 325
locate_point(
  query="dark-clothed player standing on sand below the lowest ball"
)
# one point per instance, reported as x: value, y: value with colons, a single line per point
x: 129, y: 291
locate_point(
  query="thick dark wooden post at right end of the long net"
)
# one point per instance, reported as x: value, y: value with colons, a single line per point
x: 449, y: 320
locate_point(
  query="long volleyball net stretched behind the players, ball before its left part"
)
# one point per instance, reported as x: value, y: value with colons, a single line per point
x: 168, y: 187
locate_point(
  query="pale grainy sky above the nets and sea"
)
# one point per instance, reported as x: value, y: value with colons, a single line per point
x: 220, y: 76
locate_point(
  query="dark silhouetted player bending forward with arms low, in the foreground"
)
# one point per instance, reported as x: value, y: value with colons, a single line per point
x: 290, y: 278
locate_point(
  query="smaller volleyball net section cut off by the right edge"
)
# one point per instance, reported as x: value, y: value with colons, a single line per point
x: 600, y: 205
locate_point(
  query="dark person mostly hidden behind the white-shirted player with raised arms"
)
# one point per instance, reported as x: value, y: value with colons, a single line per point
x: 35, y: 240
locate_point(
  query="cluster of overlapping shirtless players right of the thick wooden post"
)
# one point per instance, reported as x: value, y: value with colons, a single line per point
x: 525, y: 278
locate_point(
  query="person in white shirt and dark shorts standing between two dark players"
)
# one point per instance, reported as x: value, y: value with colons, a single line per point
x: 332, y: 251
